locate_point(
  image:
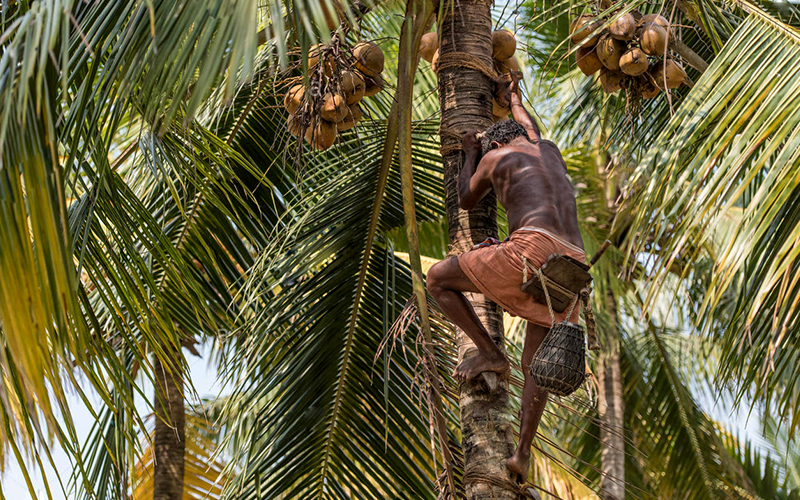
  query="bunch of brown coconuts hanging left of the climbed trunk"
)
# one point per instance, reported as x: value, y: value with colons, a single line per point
x: 339, y: 78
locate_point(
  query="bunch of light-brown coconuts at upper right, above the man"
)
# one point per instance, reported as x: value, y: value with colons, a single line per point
x: 631, y: 53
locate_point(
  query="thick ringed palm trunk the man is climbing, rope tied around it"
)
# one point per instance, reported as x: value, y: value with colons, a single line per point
x: 465, y: 94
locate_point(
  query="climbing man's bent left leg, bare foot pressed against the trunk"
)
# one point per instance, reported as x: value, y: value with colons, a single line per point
x: 446, y: 281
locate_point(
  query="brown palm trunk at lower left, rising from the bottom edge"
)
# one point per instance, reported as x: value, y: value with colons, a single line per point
x: 169, y: 444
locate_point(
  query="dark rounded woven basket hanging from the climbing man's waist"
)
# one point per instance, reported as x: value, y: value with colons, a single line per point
x: 559, y: 365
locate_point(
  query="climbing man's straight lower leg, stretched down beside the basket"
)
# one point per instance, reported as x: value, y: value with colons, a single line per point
x: 533, y: 401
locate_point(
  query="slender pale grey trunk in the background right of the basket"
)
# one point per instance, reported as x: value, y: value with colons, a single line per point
x: 612, y: 415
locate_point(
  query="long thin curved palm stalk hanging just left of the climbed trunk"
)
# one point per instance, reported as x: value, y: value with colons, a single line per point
x: 418, y: 18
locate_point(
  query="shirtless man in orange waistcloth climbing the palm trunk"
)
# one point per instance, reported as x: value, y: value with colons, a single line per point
x: 529, y: 177
